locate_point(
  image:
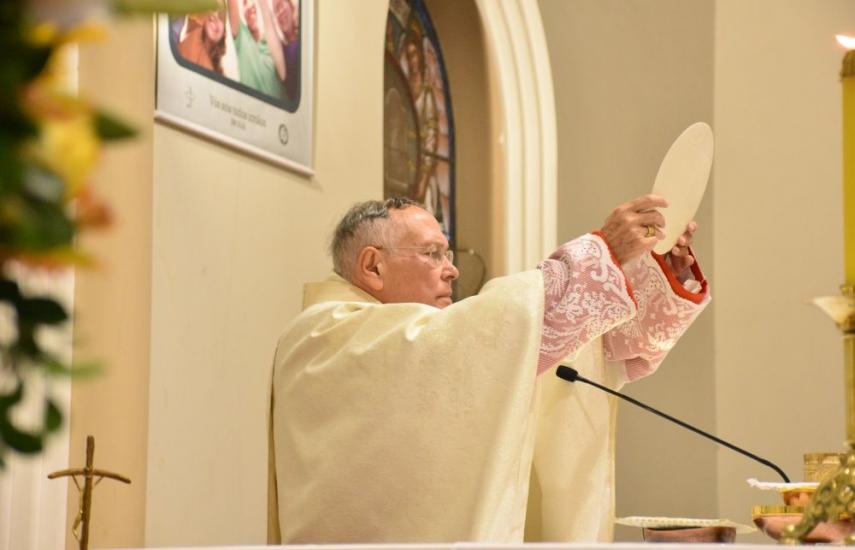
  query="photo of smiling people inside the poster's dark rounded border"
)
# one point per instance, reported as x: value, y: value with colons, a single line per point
x: 251, y: 45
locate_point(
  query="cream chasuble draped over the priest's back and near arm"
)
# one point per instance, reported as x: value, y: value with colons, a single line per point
x: 404, y: 422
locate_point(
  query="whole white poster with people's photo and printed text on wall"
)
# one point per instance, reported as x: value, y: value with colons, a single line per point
x: 241, y: 76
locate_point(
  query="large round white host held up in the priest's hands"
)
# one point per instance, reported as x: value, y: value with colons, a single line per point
x: 682, y: 180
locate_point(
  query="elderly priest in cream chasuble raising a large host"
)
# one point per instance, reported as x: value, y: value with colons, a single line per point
x: 399, y: 416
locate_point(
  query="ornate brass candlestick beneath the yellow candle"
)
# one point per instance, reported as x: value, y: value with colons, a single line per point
x: 835, y: 497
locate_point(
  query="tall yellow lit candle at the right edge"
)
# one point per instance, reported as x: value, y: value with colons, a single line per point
x: 847, y: 77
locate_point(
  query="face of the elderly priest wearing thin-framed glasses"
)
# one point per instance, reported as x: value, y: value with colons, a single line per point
x: 413, y: 266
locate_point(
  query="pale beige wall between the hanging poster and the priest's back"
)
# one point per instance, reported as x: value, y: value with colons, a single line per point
x: 233, y: 241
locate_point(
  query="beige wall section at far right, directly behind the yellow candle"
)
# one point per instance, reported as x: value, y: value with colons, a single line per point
x: 777, y: 235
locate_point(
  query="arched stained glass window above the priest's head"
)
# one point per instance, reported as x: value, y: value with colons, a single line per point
x: 418, y: 136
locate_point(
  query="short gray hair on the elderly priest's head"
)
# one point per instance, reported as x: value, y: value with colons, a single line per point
x: 361, y: 227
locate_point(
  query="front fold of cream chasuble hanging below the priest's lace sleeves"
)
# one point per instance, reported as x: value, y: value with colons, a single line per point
x: 572, y: 492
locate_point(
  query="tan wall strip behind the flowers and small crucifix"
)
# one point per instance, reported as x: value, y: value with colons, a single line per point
x: 112, y: 302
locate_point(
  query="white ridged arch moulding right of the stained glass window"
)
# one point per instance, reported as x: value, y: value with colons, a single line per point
x: 517, y: 47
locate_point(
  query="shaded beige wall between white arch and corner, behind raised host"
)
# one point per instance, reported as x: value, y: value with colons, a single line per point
x: 629, y: 76
